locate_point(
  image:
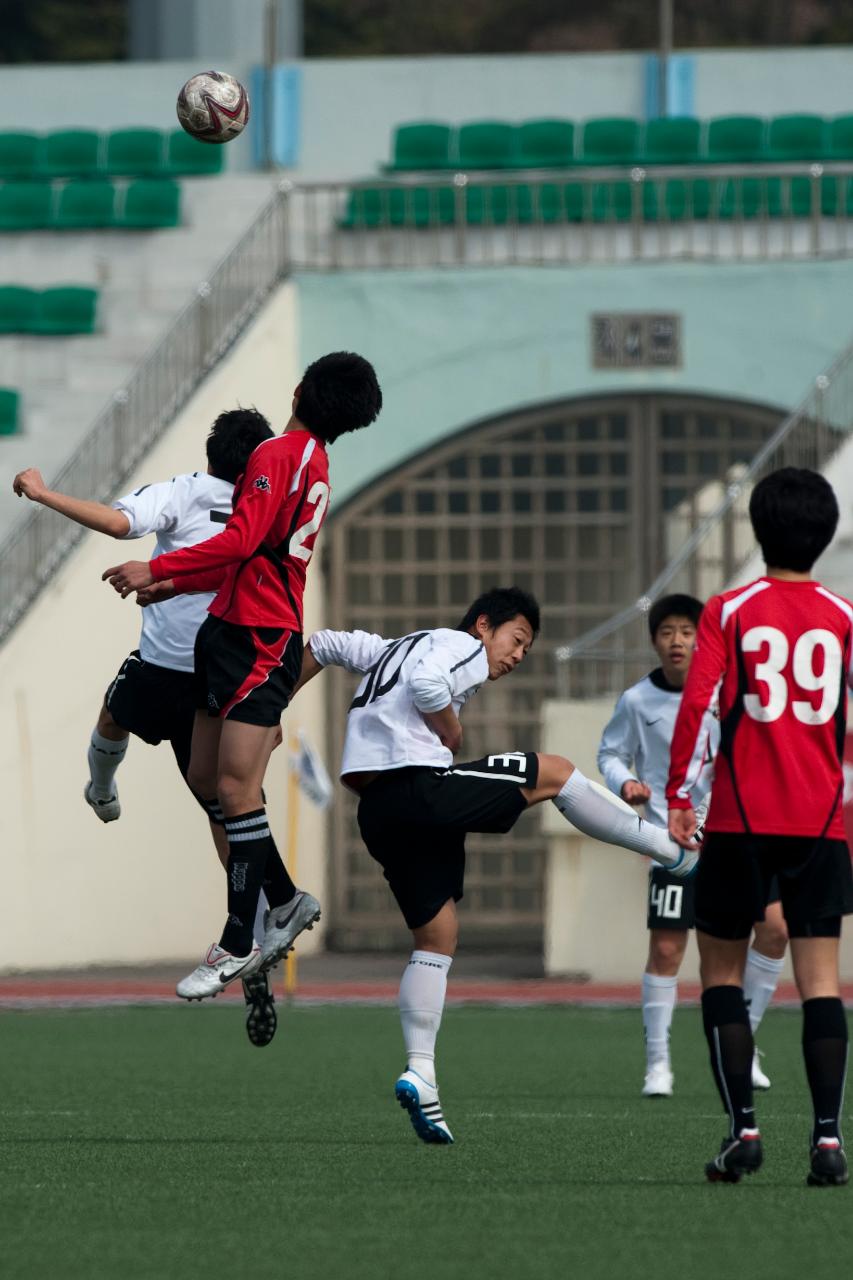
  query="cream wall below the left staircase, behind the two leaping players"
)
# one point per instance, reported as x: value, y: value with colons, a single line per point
x: 148, y: 888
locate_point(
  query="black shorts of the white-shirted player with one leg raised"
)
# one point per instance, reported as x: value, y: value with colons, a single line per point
x: 414, y: 824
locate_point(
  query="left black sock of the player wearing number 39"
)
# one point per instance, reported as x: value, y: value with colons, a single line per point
x: 729, y: 1036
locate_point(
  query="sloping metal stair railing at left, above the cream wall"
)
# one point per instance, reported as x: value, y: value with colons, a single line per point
x: 142, y: 412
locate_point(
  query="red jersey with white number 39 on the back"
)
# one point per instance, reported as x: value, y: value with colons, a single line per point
x: 777, y: 656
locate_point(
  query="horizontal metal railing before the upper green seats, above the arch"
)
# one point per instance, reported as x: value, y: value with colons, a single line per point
x: 573, y: 217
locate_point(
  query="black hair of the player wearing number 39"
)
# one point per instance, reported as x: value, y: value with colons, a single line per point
x: 795, y: 518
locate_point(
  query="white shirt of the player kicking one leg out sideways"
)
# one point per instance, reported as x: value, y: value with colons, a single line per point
x: 426, y: 671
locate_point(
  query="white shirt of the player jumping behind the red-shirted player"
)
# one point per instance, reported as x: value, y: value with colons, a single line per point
x: 183, y: 511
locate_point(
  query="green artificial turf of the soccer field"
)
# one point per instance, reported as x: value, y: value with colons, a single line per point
x: 159, y: 1144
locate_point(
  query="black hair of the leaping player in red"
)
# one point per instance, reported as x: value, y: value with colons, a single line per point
x: 339, y: 394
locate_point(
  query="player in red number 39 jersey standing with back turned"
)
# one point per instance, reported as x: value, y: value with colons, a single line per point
x: 778, y: 656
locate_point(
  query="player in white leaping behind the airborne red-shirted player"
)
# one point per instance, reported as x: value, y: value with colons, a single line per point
x: 153, y: 694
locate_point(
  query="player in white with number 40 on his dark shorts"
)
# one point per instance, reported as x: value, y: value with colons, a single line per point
x: 635, y: 760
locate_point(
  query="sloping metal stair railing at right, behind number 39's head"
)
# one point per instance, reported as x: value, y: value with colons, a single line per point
x: 718, y: 546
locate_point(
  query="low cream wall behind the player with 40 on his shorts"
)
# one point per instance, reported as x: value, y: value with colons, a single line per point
x: 596, y: 895
